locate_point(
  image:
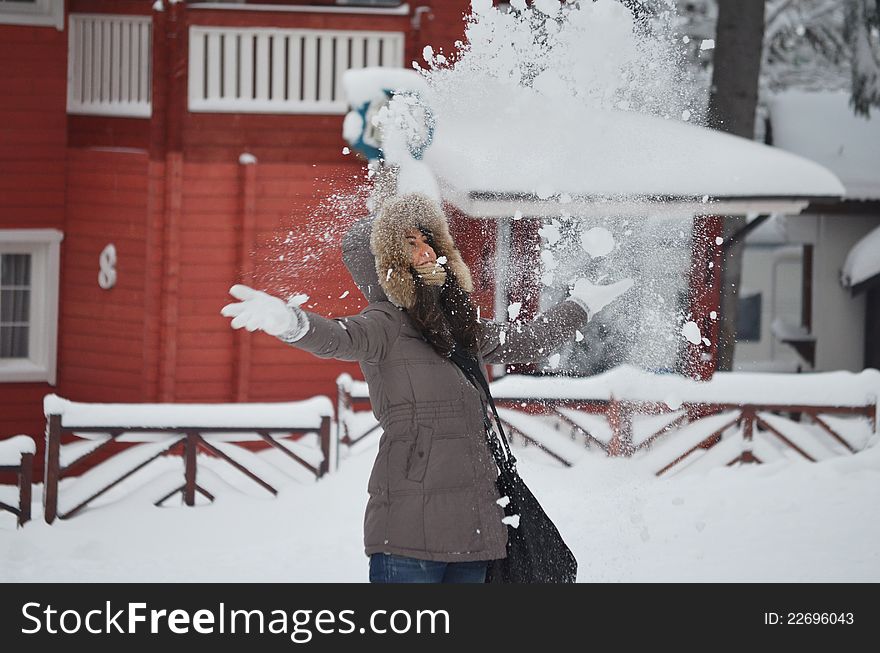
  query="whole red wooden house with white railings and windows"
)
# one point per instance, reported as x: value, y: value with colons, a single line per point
x: 154, y: 153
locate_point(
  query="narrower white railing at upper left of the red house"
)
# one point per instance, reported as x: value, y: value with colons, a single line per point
x: 109, y: 65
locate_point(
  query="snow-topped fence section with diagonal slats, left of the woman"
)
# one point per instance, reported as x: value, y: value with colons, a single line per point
x: 166, y: 434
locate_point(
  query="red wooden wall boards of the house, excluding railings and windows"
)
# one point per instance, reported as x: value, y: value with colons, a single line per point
x: 187, y: 219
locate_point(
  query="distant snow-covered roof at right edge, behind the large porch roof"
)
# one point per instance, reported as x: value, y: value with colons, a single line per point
x: 821, y: 126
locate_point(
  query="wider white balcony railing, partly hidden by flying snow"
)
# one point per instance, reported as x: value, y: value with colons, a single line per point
x: 262, y: 70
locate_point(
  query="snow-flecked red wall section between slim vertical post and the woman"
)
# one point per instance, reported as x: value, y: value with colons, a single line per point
x: 310, y: 207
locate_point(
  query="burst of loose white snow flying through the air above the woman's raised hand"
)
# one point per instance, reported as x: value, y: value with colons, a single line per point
x: 544, y: 85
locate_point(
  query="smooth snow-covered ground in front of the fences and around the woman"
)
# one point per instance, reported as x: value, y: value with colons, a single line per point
x: 786, y: 521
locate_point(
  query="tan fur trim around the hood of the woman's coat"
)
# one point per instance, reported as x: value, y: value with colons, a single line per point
x: 392, y: 252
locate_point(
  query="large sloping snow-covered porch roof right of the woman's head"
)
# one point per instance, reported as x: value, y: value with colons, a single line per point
x: 500, y: 147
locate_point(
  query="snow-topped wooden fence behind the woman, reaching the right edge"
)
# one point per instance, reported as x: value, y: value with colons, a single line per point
x: 675, y: 430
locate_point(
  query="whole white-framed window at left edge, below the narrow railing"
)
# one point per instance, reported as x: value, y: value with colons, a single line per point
x: 29, y: 271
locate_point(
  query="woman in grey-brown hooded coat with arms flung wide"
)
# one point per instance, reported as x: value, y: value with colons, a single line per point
x: 433, y: 512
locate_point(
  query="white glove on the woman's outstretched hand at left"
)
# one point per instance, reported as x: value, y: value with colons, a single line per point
x: 259, y: 310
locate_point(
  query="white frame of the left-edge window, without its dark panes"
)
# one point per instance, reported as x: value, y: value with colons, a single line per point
x: 44, y: 247
